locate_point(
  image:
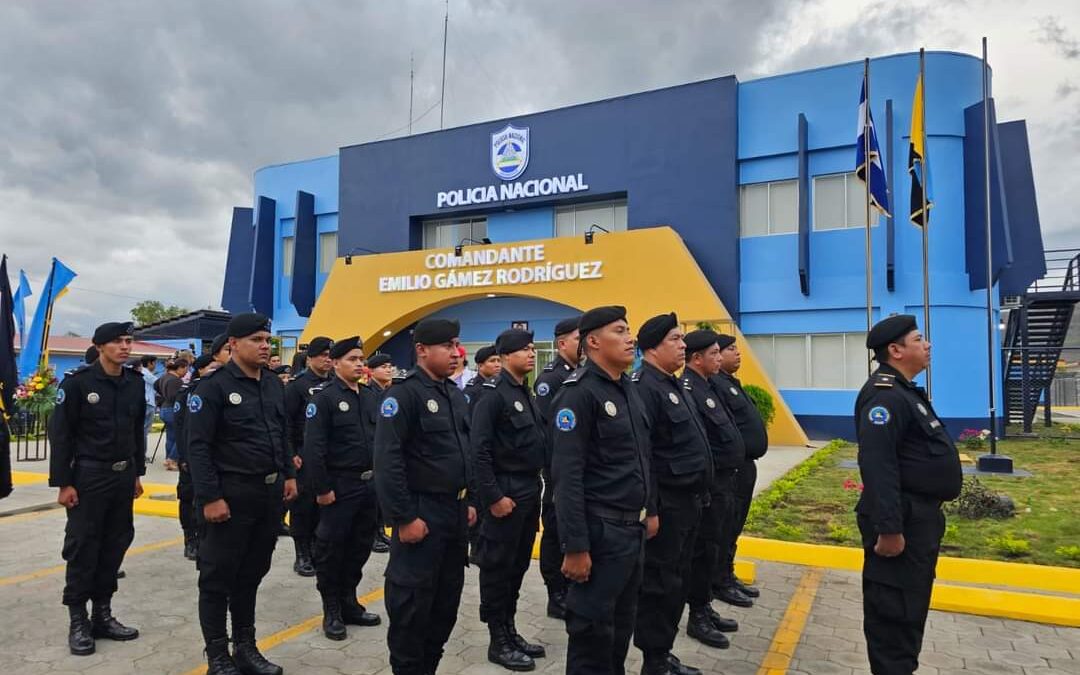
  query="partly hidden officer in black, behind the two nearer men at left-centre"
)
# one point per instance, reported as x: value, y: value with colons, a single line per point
x: 304, y: 514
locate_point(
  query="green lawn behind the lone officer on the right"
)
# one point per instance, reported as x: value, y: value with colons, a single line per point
x: 811, y: 504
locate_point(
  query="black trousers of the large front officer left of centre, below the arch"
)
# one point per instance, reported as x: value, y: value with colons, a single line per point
x: 424, y: 585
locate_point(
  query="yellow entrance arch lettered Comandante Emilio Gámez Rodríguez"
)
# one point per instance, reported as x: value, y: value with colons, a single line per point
x: 651, y: 272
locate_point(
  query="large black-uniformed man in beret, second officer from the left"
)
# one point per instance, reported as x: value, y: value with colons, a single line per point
x: 242, y: 474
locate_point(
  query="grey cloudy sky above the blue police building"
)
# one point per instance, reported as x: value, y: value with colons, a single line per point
x: 132, y: 128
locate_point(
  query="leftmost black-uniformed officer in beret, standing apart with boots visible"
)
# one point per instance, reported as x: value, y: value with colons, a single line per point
x: 98, y: 455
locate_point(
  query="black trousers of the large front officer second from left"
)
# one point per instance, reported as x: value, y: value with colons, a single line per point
x: 235, y: 556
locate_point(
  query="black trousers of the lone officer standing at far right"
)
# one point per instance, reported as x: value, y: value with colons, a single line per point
x: 897, y: 591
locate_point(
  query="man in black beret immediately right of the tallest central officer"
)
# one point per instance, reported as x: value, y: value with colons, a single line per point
x: 682, y: 474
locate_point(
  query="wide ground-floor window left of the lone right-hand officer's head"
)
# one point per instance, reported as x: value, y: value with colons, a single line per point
x: 818, y: 361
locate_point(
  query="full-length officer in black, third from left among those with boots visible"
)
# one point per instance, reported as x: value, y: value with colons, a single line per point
x: 339, y: 461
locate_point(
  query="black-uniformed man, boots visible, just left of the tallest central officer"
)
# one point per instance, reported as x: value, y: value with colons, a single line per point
x: 509, y: 444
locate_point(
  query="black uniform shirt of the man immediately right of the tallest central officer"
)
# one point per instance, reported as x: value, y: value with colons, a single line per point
x: 681, y: 455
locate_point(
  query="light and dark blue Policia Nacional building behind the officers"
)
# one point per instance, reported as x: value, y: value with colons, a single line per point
x: 757, y: 178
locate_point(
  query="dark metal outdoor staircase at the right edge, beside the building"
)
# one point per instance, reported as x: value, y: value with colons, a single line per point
x: 1035, y: 336
